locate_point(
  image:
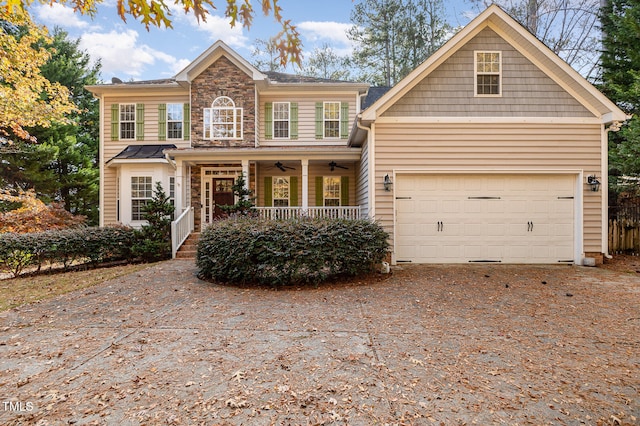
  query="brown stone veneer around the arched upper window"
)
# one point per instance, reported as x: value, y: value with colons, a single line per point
x: 223, y: 78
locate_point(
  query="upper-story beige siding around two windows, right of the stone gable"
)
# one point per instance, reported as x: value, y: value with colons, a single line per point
x: 306, y: 117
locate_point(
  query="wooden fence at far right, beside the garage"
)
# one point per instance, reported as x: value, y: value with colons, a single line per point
x: 624, y: 226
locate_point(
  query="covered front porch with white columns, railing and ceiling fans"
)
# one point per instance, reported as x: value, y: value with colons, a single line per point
x: 286, y: 183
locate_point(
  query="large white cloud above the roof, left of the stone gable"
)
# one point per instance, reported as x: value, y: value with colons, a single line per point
x: 122, y: 56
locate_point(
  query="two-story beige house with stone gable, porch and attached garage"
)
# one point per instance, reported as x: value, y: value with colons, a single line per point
x: 488, y: 151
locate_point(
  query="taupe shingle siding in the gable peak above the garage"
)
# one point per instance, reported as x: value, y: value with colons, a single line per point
x: 526, y: 90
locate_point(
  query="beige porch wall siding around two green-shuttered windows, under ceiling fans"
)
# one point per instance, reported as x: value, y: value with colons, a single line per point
x: 315, y: 169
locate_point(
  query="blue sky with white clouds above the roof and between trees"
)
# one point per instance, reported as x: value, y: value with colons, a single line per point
x: 130, y: 52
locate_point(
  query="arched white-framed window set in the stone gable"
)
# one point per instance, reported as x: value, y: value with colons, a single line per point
x: 223, y: 120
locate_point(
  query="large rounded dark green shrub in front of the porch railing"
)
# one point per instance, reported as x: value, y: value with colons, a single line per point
x: 285, y: 252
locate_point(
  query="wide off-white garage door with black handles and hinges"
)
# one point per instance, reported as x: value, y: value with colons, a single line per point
x: 484, y: 218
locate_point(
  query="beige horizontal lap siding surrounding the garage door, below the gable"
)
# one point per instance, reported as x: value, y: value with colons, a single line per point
x: 491, y: 147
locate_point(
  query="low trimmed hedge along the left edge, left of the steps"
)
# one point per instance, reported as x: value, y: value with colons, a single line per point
x: 86, y: 245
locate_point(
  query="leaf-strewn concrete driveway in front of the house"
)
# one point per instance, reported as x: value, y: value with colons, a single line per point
x: 470, y: 344
